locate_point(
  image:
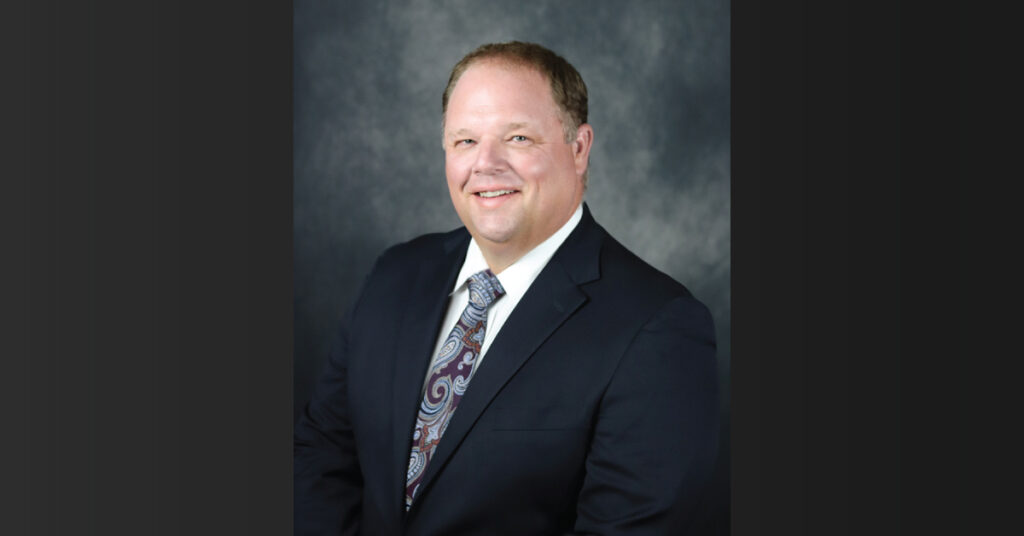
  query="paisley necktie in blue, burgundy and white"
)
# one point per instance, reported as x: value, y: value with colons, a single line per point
x: 450, y: 376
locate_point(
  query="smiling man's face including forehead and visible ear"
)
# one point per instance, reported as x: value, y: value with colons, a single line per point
x: 513, y: 178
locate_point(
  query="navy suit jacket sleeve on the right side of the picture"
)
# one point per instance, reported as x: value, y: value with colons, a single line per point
x: 657, y: 432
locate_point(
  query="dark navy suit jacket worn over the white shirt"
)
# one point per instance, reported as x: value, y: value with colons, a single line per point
x: 595, y: 411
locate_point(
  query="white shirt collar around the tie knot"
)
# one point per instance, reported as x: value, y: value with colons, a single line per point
x: 521, y: 275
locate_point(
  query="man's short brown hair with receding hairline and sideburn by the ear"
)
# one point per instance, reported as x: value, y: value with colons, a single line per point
x: 568, y: 88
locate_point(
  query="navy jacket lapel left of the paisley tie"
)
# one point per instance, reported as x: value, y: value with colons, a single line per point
x: 418, y: 332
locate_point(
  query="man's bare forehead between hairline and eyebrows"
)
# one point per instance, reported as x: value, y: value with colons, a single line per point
x: 493, y: 87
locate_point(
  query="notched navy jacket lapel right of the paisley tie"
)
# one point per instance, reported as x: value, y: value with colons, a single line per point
x: 552, y: 299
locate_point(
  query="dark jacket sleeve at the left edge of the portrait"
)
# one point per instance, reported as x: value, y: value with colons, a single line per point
x: 328, y: 481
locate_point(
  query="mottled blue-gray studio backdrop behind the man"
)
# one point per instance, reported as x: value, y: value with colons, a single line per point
x: 370, y: 169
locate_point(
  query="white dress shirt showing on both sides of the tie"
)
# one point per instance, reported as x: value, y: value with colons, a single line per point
x: 517, y: 280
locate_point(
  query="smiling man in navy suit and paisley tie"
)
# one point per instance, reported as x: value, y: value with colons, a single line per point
x: 523, y: 376
